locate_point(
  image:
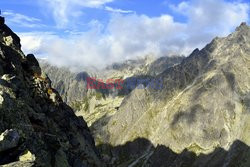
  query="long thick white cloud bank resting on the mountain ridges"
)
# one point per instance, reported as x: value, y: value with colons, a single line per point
x: 131, y: 35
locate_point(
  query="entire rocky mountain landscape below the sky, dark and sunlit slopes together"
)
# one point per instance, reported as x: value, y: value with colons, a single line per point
x: 199, y: 116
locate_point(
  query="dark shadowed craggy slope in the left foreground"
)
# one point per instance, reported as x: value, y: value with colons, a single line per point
x: 37, y: 128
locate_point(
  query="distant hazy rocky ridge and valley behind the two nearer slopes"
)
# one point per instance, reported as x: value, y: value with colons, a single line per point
x: 97, y: 106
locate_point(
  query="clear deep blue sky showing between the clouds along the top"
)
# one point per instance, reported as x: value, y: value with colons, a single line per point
x: 36, y: 9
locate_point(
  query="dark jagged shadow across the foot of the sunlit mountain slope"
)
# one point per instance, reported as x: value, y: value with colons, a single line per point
x: 142, y: 153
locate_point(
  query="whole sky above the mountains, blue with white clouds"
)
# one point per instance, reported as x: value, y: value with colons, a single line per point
x: 99, y: 32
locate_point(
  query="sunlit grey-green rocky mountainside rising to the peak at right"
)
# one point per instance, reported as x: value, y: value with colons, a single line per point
x: 203, y: 105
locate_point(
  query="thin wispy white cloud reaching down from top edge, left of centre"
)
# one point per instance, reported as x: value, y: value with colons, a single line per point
x: 65, y: 10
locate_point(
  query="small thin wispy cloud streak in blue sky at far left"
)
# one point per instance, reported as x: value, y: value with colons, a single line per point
x: 21, y: 20
